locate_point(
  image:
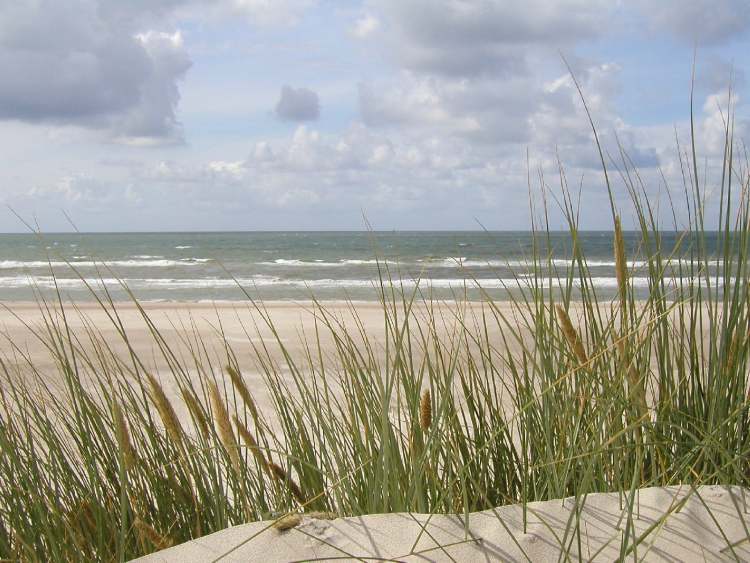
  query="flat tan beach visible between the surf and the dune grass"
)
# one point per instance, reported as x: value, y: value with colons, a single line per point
x: 188, y: 327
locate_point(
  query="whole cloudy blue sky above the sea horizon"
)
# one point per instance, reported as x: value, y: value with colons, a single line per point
x: 213, y: 115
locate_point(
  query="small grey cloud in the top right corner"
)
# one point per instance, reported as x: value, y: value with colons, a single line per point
x: 698, y: 22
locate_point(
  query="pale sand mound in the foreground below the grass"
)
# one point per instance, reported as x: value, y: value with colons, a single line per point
x: 709, y: 526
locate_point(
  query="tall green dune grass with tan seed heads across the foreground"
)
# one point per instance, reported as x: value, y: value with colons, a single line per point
x: 580, y: 394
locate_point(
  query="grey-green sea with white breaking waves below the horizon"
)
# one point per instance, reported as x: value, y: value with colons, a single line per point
x: 289, y: 265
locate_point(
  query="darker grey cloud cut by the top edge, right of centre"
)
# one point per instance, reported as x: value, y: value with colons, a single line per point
x: 458, y: 38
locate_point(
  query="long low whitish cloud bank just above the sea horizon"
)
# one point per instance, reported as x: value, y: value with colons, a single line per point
x: 311, y: 179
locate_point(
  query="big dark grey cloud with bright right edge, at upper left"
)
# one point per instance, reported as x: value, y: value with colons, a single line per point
x: 89, y: 63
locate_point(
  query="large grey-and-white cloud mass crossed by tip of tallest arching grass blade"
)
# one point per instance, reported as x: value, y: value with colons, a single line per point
x: 488, y: 74
